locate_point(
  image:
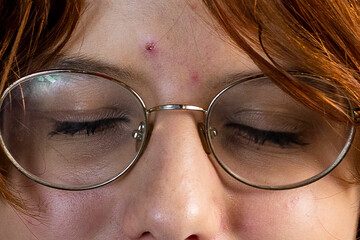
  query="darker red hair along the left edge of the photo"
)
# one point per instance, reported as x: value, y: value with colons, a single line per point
x: 32, y: 33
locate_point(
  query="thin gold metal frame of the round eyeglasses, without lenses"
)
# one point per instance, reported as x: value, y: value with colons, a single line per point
x: 206, y: 132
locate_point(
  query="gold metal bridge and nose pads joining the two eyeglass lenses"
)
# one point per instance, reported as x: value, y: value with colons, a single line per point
x: 139, y: 133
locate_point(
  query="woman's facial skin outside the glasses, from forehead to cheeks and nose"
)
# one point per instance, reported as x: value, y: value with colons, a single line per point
x: 175, y: 191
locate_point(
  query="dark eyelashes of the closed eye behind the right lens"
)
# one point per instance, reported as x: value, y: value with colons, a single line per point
x: 282, y: 139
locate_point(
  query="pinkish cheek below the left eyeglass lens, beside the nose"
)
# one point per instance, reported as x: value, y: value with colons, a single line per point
x: 75, y: 215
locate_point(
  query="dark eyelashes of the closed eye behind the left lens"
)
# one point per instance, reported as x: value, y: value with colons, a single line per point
x: 71, y: 128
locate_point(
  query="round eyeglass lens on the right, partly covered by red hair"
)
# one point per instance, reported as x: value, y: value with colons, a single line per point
x: 265, y: 138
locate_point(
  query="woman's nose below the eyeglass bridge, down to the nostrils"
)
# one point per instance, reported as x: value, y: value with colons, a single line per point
x: 177, y: 187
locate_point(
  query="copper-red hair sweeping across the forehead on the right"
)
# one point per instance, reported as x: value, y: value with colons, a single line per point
x: 321, y: 38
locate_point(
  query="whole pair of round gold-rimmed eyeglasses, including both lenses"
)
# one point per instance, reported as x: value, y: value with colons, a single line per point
x: 77, y: 130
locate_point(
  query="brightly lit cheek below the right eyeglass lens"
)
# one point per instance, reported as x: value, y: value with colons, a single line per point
x: 321, y: 210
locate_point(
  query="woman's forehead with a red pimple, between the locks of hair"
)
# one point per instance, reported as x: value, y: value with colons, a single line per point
x: 172, y: 41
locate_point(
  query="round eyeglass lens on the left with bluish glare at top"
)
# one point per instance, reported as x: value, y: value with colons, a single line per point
x: 71, y: 130
